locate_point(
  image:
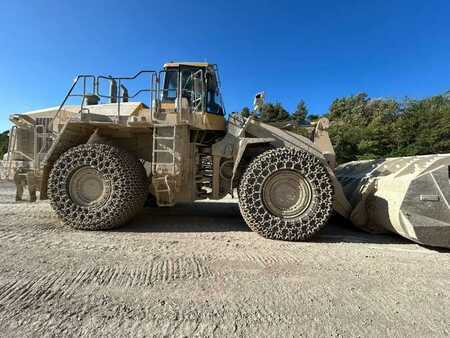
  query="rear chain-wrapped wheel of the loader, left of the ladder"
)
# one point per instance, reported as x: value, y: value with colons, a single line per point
x: 97, y: 187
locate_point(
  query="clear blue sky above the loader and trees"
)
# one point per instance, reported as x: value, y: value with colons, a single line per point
x: 311, y: 50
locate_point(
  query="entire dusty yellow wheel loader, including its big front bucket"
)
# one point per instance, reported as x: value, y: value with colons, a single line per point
x: 169, y: 141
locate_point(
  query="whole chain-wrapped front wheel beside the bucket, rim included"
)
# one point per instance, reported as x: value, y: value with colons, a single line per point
x: 286, y: 194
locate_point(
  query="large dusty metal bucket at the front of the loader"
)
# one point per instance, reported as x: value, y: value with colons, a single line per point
x: 409, y: 196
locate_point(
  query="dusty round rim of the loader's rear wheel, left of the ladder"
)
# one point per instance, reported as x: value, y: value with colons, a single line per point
x: 87, y: 186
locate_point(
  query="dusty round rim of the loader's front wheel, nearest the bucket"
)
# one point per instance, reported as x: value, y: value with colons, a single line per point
x: 287, y: 194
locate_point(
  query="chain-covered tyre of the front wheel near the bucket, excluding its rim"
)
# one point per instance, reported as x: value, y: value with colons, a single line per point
x: 261, y: 220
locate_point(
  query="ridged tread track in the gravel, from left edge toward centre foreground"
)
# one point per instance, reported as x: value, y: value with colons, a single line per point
x: 66, y: 283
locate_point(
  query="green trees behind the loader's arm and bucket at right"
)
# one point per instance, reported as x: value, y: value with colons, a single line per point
x: 369, y: 128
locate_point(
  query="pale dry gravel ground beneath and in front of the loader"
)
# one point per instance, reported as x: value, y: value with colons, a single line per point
x: 198, y: 271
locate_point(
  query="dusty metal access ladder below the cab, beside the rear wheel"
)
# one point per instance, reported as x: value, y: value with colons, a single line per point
x: 163, y: 164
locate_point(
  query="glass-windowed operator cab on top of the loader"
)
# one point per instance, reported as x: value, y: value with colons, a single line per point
x: 191, y: 85
